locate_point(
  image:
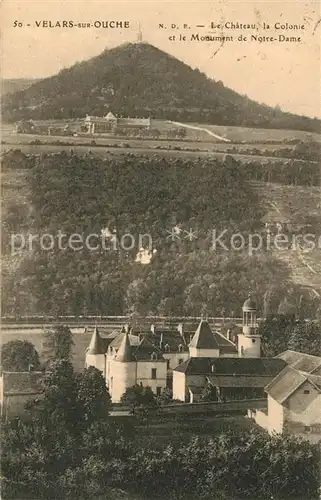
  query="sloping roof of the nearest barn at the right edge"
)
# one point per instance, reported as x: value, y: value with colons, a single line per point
x: 288, y: 381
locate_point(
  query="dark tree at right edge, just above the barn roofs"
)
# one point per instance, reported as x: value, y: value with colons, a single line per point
x: 305, y: 337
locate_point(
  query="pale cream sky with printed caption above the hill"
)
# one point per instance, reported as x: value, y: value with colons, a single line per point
x: 276, y: 73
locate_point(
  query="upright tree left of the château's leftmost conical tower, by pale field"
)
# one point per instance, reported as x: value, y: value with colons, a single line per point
x: 58, y: 343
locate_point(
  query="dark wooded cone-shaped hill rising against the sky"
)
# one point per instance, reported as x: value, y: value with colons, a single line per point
x: 141, y: 80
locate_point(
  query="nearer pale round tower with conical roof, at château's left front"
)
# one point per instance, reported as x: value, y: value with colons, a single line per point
x: 123, y: 370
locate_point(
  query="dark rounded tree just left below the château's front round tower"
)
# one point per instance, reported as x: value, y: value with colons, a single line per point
x: 93, y: 396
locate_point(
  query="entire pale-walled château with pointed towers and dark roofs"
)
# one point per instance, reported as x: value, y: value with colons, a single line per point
x: 163, y: 358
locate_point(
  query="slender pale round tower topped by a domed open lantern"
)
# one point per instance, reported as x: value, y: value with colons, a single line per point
x: 249, y: 341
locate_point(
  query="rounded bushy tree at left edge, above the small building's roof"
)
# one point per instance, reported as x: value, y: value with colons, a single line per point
x: 19, y: 356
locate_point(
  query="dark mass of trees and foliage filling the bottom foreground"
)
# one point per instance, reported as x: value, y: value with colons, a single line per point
x: 70, y: 448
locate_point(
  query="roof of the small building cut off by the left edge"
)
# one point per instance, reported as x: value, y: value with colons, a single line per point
x: 22, y: 382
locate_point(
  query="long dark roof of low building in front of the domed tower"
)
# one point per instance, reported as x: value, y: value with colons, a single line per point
x: 232, y: 366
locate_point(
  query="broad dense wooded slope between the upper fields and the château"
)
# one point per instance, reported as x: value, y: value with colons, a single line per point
x: 140, y: 196
